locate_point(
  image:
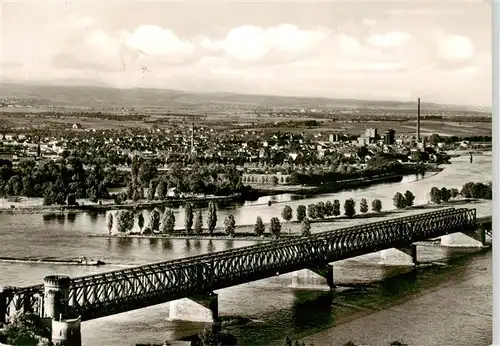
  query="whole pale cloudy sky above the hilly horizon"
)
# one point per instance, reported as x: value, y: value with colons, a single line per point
x: 439, y: 51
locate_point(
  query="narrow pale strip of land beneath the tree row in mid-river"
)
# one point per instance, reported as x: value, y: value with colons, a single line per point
x: 293, y: 228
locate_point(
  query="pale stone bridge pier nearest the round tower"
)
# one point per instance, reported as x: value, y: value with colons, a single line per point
x: 199, y: 308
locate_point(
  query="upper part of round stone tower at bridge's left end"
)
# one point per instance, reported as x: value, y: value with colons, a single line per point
x: 56, y: 295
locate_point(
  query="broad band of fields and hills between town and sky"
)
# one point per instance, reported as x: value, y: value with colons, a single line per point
x: 171, y: 109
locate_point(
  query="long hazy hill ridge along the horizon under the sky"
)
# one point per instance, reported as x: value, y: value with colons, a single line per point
x: 108, y: 97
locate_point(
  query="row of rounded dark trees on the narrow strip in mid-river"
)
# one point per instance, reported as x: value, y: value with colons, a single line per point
x: 193, y: 222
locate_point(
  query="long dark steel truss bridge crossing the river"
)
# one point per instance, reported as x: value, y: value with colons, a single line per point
x: 100, y: 295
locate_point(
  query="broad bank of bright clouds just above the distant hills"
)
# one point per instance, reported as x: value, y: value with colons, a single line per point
x: 372, y: 60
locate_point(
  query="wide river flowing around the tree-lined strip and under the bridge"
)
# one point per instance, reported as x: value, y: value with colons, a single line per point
x: 277, y: 309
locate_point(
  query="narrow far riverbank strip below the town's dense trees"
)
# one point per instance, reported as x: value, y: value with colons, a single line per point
x: 258, y: 192
